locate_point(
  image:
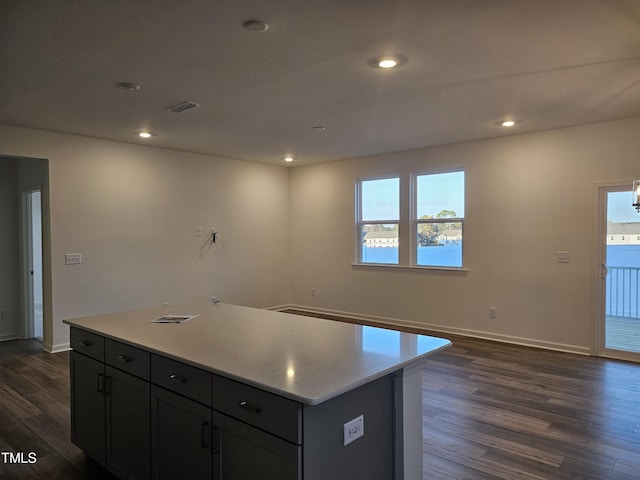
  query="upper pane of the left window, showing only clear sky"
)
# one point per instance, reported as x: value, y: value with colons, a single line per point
x: 380, y: 199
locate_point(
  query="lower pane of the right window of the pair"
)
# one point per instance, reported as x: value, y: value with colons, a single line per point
x: 439, y: 244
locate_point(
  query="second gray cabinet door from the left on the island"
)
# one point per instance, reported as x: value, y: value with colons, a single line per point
x: 128, y: 425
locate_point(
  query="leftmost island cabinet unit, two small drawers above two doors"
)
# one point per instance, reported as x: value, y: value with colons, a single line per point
x: 110, y: 418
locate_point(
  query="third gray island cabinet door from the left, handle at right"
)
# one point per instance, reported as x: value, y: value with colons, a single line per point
x: 180, y: 437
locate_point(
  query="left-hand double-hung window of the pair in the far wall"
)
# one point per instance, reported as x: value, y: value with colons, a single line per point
x: 378, y: 220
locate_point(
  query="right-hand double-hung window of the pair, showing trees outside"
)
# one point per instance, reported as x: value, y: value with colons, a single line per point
x: 439, y: 217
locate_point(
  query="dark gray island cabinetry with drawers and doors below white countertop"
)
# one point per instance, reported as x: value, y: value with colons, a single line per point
x: 144, y: 415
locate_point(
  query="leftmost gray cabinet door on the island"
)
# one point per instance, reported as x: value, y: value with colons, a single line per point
x: 88, y: 406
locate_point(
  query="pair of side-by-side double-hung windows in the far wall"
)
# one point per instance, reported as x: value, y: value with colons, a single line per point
x: 432, y: 220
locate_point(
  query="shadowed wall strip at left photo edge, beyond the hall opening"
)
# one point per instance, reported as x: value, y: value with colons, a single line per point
x: 9, y: 291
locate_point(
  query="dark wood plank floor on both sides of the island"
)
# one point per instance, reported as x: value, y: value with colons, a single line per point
x: 491, y: 411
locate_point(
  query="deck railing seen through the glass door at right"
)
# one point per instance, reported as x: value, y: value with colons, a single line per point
x: 623, y: 292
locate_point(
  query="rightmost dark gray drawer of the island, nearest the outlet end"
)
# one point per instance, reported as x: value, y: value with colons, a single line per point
x: 267, y: 411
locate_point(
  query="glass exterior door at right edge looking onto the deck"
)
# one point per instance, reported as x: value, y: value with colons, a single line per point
x: 619, y: 274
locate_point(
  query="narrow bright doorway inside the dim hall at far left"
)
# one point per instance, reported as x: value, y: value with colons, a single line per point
x: 32, y: 261
